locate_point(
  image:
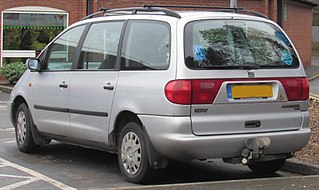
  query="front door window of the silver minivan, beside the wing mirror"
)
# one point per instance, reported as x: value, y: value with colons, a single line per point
x: 61, y: 51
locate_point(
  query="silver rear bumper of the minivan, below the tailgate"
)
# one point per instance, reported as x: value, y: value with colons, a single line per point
x: 172, y: 138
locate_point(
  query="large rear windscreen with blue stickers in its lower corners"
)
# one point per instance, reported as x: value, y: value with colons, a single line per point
x: 237, y: 44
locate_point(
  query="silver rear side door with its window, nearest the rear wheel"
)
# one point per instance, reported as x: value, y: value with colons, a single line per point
x: 93, y: 85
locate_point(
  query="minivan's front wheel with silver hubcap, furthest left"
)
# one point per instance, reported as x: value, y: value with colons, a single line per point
x: 23, y: 126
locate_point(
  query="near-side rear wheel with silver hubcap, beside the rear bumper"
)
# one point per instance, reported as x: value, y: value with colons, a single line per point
x: 132, y: 154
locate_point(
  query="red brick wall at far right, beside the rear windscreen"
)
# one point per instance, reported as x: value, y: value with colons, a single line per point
x: 298, y: 26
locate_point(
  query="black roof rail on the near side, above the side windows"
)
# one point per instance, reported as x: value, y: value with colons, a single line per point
x: 134, y: 10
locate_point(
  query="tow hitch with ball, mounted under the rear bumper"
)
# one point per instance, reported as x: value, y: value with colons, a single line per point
x: 255, y: 149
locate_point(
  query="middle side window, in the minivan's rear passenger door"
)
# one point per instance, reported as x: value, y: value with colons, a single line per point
x: 100, y: 47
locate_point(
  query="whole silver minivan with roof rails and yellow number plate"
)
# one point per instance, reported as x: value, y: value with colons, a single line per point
x: 153, y: 85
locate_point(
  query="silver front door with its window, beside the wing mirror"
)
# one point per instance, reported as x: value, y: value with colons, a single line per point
x: 51, y: 85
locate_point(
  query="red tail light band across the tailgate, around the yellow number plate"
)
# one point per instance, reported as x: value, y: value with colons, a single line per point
x: 187, y: 92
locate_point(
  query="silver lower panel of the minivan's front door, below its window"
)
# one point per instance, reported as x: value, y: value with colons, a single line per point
x: 46, y: 93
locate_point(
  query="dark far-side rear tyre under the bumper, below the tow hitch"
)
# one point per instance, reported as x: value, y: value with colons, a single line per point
x: 267, y: 166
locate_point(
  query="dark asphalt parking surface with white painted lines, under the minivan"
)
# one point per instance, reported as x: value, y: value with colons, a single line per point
x: 62, y: 166
